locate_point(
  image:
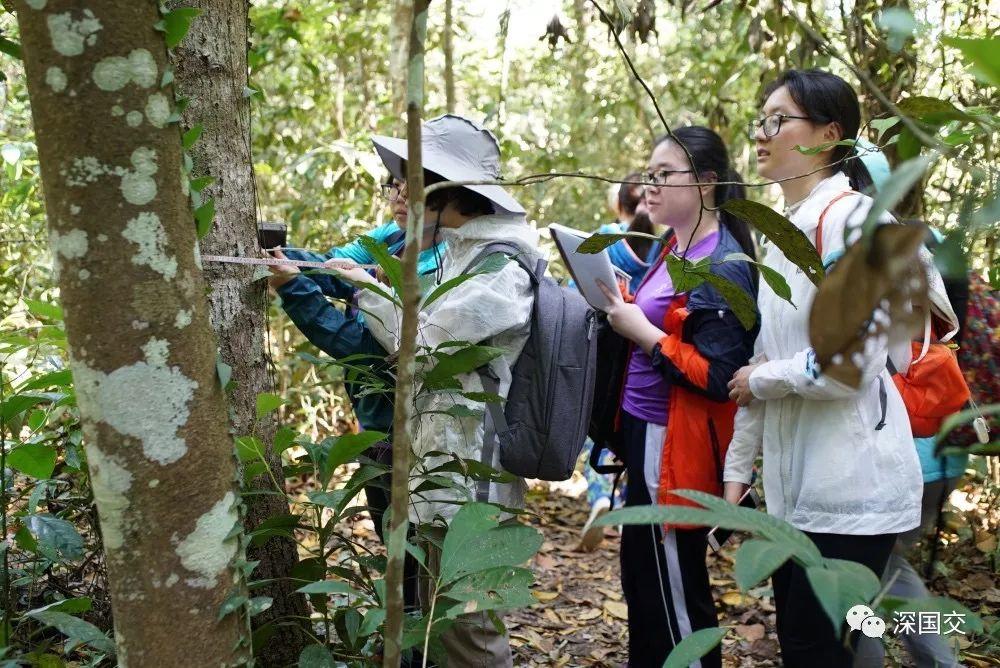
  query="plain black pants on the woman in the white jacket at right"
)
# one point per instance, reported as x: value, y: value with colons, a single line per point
x: 804, y: 630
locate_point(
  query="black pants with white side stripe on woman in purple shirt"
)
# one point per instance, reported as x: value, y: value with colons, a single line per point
x: 664, y: 575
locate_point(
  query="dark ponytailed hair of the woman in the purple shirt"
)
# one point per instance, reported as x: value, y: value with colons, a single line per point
x: 710, y: 155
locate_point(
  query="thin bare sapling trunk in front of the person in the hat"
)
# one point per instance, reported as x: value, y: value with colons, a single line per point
x: 402, y: 418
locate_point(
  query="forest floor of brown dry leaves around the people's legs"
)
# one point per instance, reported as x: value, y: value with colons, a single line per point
x: 580, y: 617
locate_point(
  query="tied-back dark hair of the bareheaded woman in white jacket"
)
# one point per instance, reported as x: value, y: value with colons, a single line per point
x: 826, y: 98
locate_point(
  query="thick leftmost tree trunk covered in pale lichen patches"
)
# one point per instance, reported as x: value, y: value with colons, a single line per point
x: 143, y: 357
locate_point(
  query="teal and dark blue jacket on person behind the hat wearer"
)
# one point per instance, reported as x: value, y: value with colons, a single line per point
x: 342, y: 334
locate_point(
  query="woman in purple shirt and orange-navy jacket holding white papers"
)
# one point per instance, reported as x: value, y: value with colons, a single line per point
x: 675, y: 413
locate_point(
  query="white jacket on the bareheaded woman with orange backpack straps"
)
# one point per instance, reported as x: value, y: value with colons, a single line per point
x: 826, y: 468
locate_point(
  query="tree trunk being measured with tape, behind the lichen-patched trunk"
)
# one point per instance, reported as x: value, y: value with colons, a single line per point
x: 211, y: 72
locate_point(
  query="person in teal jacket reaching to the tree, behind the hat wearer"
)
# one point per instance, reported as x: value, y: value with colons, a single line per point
x: 342, y: 333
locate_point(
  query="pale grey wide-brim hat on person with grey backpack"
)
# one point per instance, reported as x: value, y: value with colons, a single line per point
x: 456, y: 149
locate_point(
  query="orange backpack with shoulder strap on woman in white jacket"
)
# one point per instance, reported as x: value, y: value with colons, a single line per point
x: 933, y: 387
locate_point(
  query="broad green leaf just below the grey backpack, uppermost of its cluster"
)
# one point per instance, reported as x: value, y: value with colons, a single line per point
x: 475, y: 542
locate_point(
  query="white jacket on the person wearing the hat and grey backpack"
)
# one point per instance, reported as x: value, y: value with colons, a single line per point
x: 492, y: 309
